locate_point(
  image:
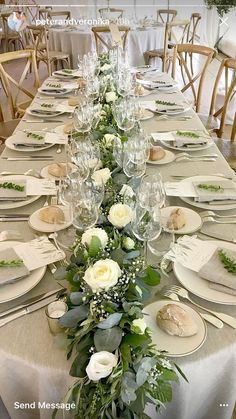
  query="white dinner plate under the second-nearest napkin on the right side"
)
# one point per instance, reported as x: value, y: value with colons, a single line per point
x: 204, y: 205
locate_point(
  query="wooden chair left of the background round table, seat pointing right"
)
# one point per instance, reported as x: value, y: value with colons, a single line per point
x: 39, y: 41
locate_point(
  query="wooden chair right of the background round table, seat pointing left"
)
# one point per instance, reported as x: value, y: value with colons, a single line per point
x: 170, y: 39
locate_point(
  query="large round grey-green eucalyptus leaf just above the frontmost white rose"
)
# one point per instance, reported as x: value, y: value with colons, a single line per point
x: 108, y: 339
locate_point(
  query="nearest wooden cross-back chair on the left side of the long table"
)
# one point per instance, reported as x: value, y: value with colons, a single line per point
x: 14, y: 87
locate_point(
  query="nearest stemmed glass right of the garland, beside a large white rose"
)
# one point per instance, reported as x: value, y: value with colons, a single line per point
x: 146, y: 225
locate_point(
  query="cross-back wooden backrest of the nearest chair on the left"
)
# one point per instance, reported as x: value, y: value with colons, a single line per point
x: 9, y: 81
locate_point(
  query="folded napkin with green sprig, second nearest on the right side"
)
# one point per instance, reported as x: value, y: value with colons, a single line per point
x: 212, y: 190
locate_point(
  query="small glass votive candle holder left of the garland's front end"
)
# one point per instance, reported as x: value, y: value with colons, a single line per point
x: 54, y: 312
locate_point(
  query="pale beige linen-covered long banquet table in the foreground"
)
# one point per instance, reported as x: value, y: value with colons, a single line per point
x: 33, y: 368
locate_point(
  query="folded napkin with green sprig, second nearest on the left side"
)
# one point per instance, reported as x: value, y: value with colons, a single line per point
x: 8, y: 189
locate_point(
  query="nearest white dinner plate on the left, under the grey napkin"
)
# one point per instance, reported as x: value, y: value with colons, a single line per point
x: 11, y: 291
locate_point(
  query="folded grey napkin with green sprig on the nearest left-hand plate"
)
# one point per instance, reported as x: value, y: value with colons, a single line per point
x: 9, y: 274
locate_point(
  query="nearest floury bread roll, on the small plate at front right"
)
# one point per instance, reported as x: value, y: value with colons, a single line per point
x: 175, y: 321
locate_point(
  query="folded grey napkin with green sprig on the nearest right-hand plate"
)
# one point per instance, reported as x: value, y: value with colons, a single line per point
x: 215, y: 272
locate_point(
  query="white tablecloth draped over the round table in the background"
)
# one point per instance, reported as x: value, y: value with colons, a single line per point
x: 80, y: 42
